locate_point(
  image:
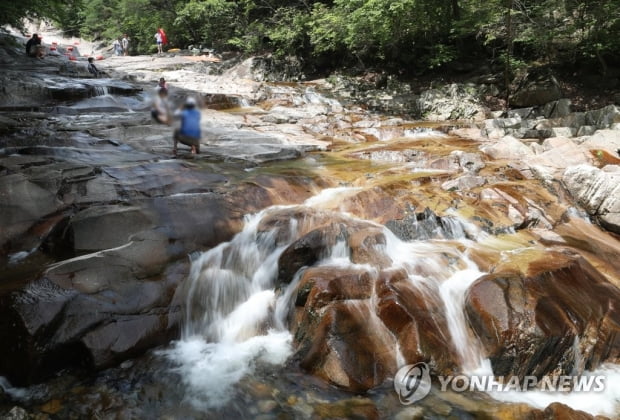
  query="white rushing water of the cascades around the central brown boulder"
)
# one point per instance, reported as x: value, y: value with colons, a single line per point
x: 236, y: 320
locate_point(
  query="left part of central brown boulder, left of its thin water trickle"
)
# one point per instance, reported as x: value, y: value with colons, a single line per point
x: 338, y: 336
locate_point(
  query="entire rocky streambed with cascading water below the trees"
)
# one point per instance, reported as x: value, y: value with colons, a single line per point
x: 326, y: 235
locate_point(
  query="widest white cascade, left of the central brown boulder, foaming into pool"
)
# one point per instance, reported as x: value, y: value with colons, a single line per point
x: 229, y: 322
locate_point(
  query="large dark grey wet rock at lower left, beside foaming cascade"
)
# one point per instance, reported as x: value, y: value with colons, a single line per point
x: 89, y: 314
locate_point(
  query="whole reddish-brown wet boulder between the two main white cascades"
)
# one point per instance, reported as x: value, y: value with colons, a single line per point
x: 353, y: 327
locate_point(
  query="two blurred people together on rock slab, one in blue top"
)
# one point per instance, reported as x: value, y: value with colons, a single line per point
x: 189, y: 131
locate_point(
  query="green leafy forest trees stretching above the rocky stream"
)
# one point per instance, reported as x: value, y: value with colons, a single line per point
x: 406, y: 36
